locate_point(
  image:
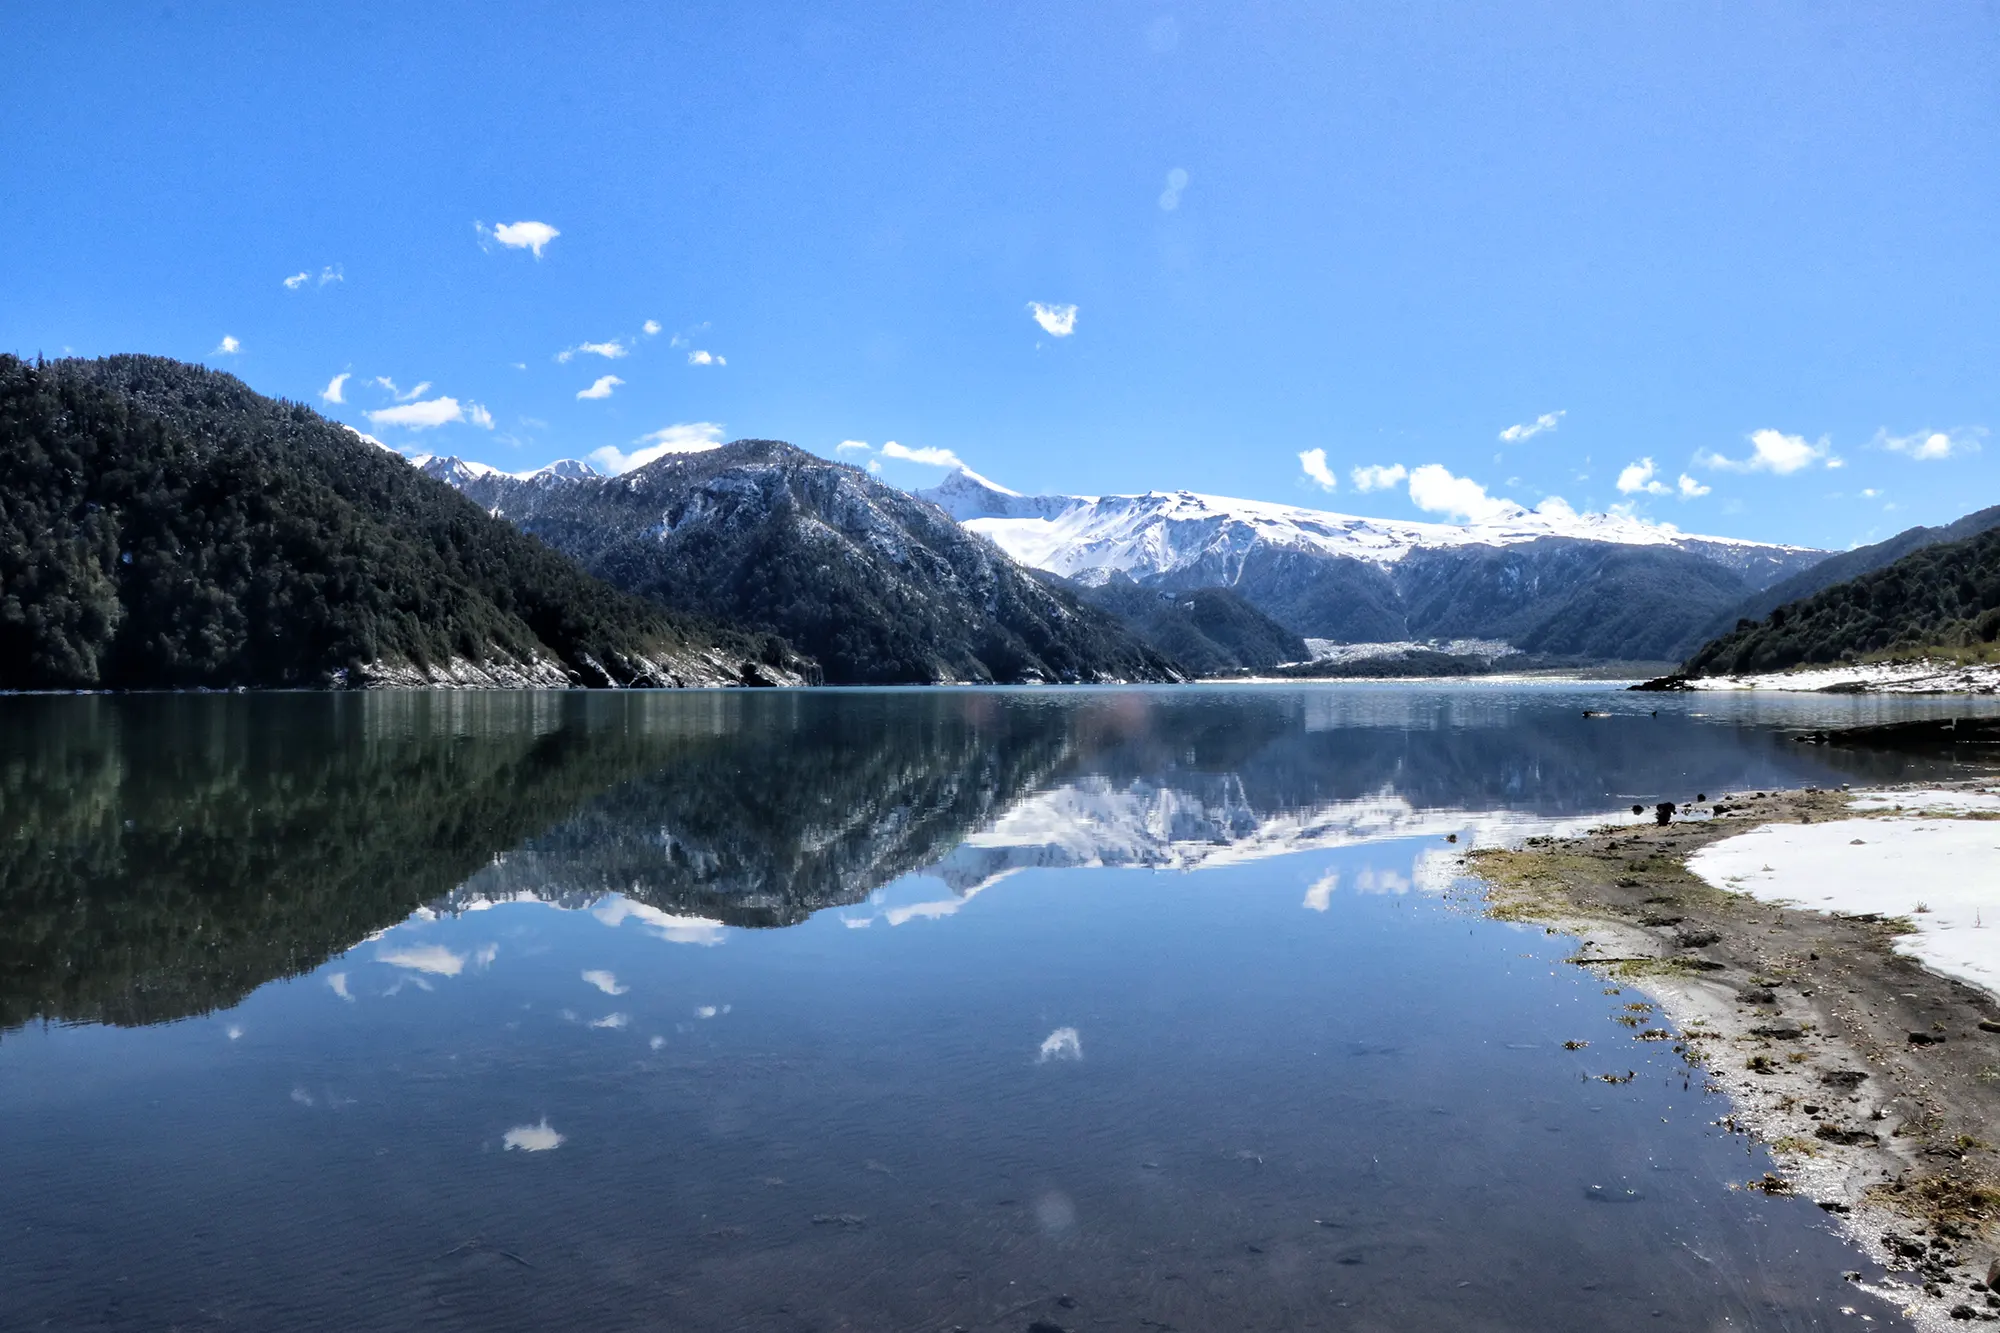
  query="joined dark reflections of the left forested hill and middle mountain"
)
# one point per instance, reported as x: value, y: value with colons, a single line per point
x: 167, y: 856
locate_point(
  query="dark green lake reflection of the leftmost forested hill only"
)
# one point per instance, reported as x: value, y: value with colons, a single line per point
x: 167, y: 856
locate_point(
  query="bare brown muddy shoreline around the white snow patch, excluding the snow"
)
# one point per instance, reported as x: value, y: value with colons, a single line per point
x: 1873, y: 1082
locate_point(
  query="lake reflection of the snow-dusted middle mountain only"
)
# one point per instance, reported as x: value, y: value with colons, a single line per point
x: 777, y: 822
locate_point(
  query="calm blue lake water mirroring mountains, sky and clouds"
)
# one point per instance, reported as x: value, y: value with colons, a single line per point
x: 895, y: 1010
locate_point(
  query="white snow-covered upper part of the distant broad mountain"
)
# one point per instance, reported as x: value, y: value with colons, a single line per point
x: 1169, y: 531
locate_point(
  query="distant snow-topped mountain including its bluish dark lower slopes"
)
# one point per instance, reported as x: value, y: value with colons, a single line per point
x: 1547, y: 581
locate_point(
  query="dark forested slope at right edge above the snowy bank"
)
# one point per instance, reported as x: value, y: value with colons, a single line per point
x: 1939, y: 597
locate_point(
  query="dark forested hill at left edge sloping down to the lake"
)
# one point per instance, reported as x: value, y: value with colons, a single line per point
x: 163, y: 525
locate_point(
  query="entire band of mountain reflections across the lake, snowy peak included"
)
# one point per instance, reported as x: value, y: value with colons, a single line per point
x: 167, y: 856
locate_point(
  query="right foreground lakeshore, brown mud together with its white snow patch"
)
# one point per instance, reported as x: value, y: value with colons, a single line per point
x: 1825, y: 960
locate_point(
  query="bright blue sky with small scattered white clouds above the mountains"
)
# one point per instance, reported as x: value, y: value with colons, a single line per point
x: 1753, y: 245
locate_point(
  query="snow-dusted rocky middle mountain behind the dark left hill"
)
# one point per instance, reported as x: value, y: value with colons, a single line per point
x: 877, y: 585
